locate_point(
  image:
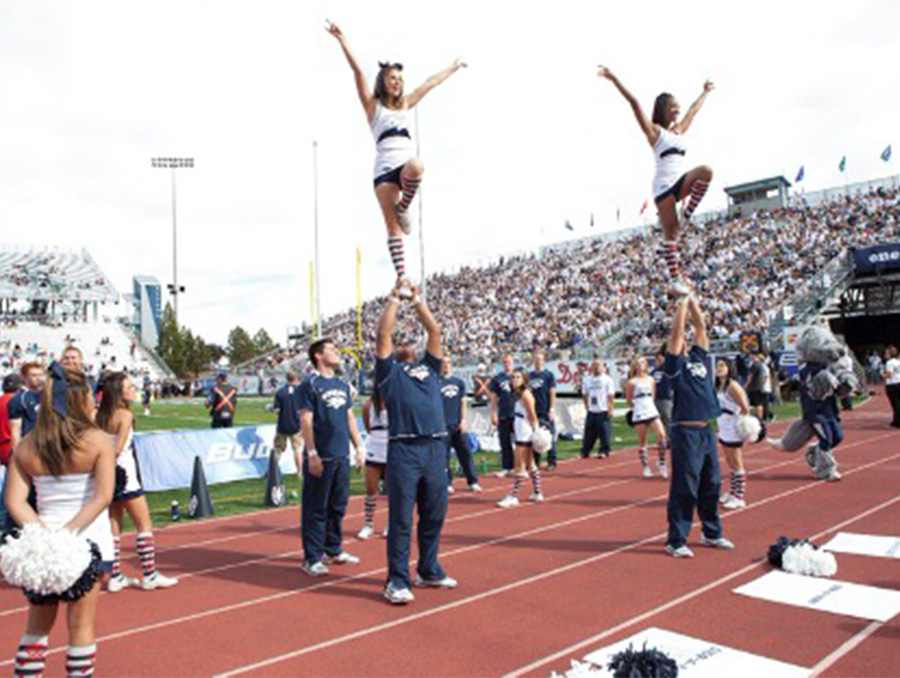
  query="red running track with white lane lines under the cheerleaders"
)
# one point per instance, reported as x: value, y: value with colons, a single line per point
x: 539, y: 584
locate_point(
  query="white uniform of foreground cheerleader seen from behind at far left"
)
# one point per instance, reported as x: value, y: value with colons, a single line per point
x: 59, y: 499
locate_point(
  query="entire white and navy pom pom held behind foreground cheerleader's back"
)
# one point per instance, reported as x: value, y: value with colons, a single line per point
x: 50, y: 565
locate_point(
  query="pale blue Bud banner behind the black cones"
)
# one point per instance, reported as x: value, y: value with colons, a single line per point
x: 166, y: 458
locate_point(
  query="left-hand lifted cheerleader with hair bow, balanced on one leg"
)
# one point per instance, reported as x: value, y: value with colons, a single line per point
x: 398, y: 172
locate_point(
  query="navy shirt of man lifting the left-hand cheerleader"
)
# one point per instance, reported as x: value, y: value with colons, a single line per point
x: 412, y: 392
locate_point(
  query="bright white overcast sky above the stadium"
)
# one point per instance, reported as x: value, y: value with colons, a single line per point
x: 524, y: 139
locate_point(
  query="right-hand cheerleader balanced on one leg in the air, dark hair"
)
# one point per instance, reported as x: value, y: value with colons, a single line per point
x: 673, y: 182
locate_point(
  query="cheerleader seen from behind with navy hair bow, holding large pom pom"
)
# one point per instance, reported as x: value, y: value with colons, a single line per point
x: 63, y: 547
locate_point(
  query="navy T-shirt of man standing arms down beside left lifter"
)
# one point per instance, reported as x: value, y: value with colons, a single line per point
x: 329, y: 400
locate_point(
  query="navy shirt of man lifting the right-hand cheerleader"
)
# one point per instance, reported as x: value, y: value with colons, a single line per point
x: 692, y: 387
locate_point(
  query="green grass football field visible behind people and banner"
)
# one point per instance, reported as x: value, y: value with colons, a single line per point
x: 247, y: 495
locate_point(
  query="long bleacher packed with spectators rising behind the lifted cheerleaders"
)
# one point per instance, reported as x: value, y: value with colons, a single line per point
x: 745, y: 269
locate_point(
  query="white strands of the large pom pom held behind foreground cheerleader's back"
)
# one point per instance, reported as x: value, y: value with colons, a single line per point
x: 44, y: 560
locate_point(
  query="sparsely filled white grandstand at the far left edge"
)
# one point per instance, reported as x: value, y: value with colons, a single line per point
x: 51, y: 298
